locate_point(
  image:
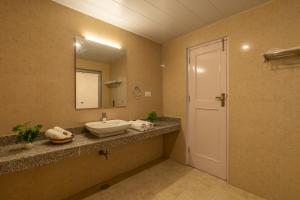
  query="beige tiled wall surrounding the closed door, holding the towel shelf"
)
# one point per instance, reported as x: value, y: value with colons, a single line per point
x: 264, y: 107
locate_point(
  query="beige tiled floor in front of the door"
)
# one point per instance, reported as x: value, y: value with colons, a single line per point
x: 172, y: 181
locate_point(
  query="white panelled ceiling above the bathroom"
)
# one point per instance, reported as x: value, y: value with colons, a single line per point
x: 160, y: 20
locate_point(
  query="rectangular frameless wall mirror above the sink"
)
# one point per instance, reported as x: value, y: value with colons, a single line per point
x: 101, y: 75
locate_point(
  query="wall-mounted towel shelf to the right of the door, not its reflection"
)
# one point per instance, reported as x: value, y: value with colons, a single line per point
x: 276, y: 54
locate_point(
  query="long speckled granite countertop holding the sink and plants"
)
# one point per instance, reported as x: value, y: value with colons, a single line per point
x: 14, y: 158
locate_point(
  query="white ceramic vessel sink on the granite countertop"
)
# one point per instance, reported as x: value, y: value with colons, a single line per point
x: 107, y: 128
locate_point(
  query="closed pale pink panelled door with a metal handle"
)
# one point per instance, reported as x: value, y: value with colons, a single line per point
x: 207, y: 108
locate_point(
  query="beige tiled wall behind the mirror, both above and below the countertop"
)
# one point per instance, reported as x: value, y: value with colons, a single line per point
x: 37, y: 83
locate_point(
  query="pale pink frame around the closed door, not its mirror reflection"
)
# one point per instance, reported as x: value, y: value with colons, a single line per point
x: 188, y: 128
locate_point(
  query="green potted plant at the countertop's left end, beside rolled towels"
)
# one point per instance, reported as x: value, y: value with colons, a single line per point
x: 27, y: 134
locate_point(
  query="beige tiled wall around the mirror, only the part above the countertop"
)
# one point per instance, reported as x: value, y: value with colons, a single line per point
x: 37, y: 69
